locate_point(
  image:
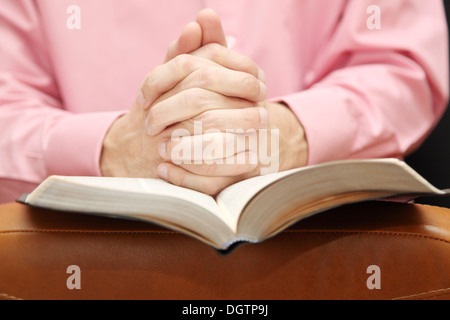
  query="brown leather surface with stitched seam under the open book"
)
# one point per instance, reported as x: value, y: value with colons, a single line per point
x: 323, y: 257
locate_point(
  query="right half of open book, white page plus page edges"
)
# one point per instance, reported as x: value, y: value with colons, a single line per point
x: 322, y: 181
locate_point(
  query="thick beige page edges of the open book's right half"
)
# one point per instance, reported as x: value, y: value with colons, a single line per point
x: 324, y: 186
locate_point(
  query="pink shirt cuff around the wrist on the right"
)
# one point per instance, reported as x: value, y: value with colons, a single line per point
x: 327, y: 121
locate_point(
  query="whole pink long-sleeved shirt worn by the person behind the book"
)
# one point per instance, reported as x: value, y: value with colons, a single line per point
x: 359, y: 91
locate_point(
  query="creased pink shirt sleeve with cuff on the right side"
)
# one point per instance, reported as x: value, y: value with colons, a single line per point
x: 376, y: 92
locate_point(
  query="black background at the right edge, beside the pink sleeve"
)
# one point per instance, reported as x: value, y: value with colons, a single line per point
x: 432, y: 159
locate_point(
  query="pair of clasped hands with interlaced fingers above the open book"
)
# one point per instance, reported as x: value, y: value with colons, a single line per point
x: 191, y: 109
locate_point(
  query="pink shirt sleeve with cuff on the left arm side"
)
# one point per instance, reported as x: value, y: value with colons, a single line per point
x: 40, y: 138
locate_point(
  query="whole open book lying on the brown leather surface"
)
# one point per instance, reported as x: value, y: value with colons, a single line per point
x: 249, y: 211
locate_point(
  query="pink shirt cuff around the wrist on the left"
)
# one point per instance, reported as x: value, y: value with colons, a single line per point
x: 75, y: 144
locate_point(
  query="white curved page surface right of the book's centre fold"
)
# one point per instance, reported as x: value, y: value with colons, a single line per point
x: 233, y: 199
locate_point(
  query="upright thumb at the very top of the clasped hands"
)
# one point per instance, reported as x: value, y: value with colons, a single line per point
x: 211, y: 26
